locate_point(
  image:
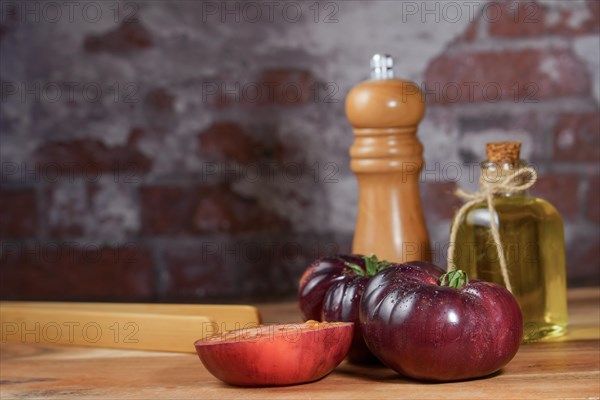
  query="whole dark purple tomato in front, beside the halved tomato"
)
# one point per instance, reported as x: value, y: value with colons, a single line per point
x: 436, y: 330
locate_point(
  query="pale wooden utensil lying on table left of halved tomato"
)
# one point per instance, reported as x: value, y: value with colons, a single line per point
x: 167, y: 327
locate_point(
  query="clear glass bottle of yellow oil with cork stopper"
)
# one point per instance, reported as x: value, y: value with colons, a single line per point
x: 532, y: 237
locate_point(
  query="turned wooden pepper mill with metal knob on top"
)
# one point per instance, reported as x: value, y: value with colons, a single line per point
x: 386, y: 159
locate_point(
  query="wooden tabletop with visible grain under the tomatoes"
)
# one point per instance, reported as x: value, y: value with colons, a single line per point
x: 565, y: 369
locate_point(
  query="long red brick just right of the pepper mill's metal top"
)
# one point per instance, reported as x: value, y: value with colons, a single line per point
x: 516, y: 76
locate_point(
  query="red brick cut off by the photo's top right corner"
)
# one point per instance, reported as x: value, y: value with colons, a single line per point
x: 527, y: 19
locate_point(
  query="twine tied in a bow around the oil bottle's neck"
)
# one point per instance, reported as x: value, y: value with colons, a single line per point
x: 506, y: 185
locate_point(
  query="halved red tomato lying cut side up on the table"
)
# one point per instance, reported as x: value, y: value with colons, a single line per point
x: 276, y: 355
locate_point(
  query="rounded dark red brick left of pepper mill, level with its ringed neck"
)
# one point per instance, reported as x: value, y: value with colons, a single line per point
x: 227, y: 141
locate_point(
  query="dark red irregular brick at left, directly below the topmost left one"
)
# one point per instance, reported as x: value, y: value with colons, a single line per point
x: 89, y: 156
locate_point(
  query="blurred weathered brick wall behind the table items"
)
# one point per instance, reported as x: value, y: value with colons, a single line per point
x: 179, y: 150
